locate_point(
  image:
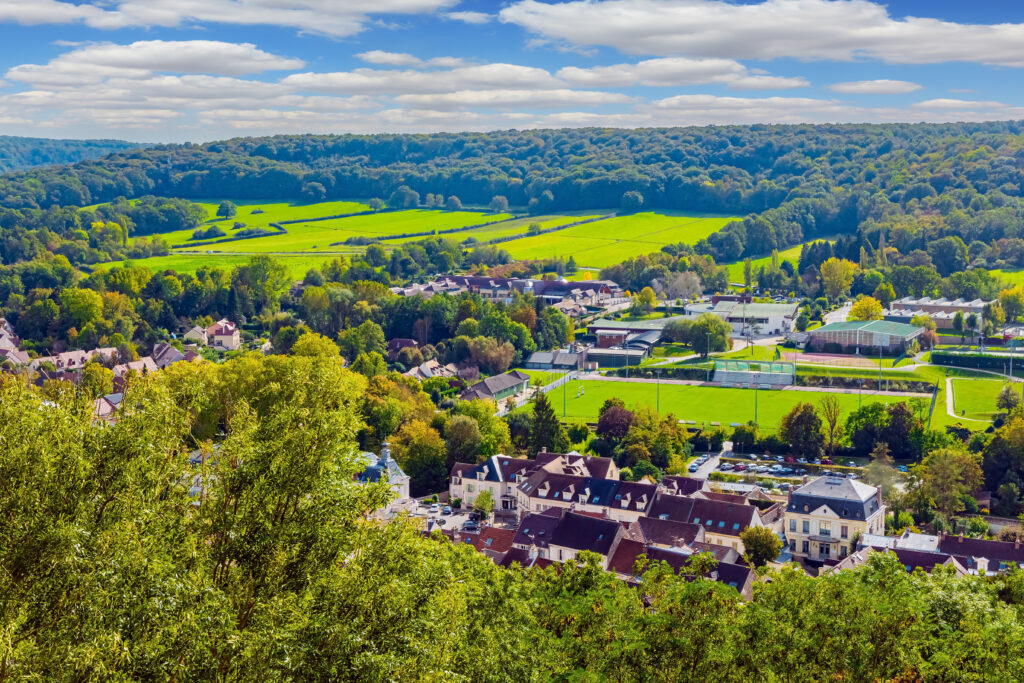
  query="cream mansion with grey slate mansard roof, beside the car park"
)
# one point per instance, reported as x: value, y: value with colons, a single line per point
x: 825, y: 517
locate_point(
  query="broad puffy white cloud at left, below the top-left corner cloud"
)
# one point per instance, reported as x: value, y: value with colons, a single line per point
x: 93, y: 64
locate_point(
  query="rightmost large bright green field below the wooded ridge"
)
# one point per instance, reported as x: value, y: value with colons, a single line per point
x: 609, y: 242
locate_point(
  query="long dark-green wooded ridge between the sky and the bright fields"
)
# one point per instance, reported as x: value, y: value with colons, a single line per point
x: 920, y: 183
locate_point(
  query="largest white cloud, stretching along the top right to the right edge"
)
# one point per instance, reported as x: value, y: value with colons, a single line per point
x: 804, y: 29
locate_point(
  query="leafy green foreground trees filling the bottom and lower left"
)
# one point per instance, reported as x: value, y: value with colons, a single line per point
x: 140, y: 551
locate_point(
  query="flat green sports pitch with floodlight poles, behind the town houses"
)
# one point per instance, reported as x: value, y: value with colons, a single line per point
x: 695, y: 403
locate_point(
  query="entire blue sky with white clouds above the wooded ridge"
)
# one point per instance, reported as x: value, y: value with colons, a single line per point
x: 202, y: 70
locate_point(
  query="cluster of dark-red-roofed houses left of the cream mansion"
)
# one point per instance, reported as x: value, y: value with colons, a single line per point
x: 560, y: 505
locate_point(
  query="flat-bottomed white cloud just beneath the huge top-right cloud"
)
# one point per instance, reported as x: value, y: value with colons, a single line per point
x: 668, y: 72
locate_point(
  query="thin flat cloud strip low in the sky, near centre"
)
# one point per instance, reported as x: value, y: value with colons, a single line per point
x: 511, y: 99
